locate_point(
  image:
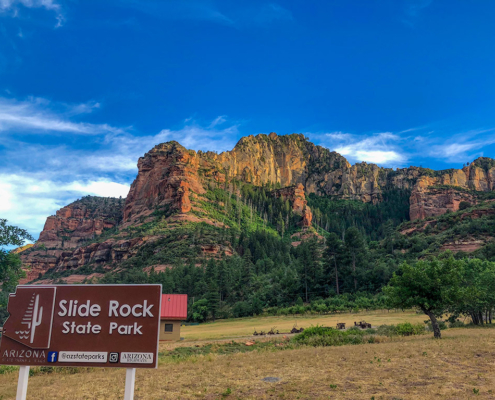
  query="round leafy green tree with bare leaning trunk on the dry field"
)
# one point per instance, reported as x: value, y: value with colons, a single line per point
x: 432, y: 286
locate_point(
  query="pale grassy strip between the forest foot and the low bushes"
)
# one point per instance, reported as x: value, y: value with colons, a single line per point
x: 226, y: 329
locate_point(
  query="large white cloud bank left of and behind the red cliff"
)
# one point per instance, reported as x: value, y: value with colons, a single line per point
x: 39, y: 176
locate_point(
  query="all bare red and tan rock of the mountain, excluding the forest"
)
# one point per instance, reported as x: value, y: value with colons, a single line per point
x: 172, y: 181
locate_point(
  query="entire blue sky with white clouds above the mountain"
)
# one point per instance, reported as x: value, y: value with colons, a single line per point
x: 86, y: 87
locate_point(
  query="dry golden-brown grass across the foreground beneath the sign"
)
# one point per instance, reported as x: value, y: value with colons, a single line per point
x: 414, y: 368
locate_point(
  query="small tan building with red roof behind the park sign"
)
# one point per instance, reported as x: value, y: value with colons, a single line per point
x: 174, y: 310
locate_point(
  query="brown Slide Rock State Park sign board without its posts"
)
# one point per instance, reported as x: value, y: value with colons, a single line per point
x: 83, y: 325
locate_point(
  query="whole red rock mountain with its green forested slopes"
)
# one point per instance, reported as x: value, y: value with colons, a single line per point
x: 276, y: 226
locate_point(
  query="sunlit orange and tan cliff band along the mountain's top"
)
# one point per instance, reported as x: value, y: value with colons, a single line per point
x: 170, y: 176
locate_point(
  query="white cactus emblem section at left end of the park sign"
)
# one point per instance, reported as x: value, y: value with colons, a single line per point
x: 31, y: 315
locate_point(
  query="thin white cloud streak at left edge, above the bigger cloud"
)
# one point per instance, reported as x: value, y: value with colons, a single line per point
x: 38, y: 115
